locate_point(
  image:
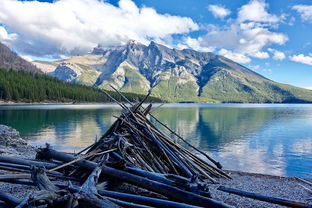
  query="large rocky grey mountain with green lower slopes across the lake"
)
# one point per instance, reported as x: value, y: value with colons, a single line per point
x: 174, y: 75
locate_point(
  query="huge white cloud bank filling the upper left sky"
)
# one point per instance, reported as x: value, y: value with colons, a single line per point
x: 76, y: 26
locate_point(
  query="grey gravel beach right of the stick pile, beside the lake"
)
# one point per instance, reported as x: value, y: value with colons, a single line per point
x: 274, y: 186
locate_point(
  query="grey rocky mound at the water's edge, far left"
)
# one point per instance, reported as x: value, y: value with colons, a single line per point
x: 10, y: 137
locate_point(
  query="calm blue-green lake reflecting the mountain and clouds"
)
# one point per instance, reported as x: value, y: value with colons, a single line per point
x: 263, y: 138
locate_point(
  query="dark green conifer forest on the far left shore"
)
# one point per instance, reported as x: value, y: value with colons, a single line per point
x: 22, y: 86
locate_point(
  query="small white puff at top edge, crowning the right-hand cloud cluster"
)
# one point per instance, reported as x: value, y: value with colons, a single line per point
x: 256, y: 10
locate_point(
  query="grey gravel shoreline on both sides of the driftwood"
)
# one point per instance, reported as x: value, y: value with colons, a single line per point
x: 270, y: 185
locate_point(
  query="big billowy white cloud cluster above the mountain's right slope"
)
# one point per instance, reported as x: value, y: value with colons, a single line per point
x: 249, y: 34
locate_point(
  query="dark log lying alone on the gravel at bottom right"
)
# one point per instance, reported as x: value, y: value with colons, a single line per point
x: 261, y: 197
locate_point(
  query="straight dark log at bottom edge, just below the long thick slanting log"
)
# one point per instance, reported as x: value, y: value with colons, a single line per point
x: 144, y: 200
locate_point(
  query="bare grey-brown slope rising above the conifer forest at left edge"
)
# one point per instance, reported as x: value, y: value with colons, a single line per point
x: 10, y: 60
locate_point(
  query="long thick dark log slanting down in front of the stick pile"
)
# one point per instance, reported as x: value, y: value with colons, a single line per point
x: 169, y: 191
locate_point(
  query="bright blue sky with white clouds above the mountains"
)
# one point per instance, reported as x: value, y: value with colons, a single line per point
x: 273, y: 38
